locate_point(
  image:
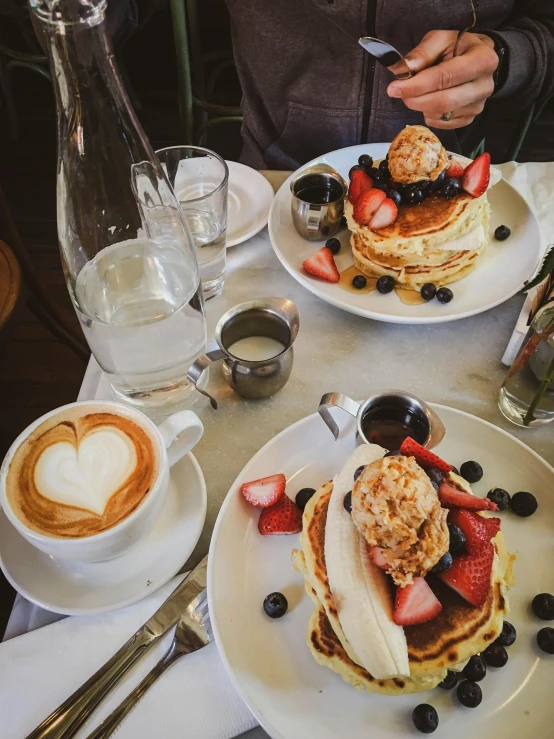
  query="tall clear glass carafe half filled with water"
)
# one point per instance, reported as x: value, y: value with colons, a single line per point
x: 127, y: 255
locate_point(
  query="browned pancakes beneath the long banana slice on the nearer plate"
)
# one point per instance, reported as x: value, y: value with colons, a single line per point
x: 447, y: 642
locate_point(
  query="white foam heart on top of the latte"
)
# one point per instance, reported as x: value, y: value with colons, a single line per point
x: 86, y: 476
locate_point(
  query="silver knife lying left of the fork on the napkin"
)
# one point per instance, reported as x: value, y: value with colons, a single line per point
x: 68, y: 718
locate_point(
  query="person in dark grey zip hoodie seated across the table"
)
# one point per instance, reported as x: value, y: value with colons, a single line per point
x: 309, y: 88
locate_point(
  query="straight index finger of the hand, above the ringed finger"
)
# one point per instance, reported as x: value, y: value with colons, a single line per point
x: 478, y: 61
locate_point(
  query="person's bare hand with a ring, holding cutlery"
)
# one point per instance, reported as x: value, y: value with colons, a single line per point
x: 443, y: 83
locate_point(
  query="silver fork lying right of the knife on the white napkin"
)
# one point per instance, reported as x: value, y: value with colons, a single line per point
x: 191, y: 633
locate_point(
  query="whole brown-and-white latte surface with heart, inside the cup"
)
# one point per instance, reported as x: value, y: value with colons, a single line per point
x: 81, y: 472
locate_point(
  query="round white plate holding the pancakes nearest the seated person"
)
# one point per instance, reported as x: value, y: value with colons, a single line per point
x: 499, y: 274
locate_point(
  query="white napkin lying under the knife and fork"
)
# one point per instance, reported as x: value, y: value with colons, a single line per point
x: 39, y: 670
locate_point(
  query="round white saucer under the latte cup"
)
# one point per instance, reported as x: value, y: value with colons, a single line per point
x: 81, y: 589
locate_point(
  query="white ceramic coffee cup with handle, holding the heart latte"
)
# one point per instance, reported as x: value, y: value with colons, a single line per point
x: 173, y: 438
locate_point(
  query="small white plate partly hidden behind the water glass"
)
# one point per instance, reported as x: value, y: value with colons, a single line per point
x: 250, y: 198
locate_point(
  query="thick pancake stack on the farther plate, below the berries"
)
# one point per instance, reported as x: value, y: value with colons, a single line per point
x: 437, y: 241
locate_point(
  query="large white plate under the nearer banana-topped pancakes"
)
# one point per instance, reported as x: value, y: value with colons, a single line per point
x: 269, y: 661
